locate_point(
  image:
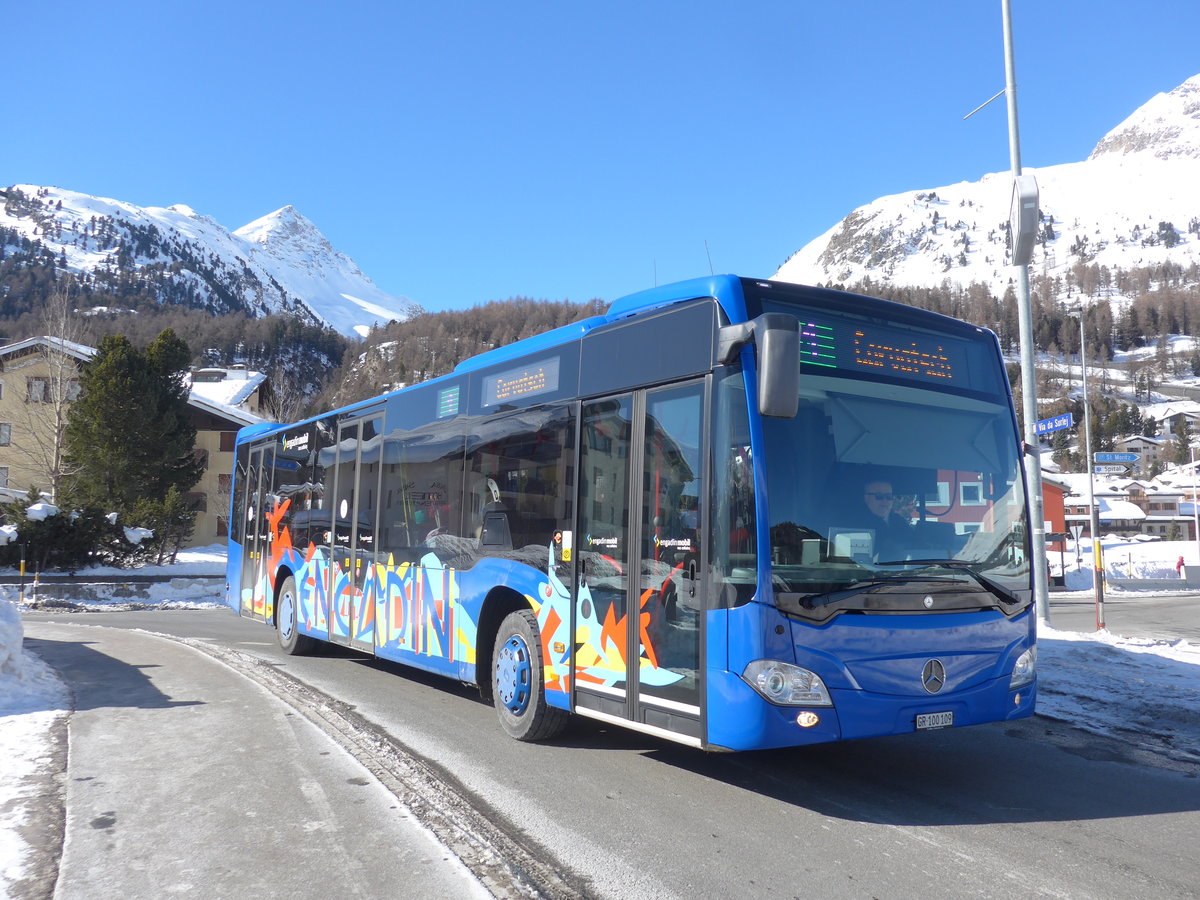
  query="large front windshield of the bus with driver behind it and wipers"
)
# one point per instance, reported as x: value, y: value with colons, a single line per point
x: 895, y: 497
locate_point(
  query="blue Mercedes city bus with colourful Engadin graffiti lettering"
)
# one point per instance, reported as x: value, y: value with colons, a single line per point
x: 731, y: 513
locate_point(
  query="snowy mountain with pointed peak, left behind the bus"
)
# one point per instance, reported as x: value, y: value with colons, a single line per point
x: 280, y: 263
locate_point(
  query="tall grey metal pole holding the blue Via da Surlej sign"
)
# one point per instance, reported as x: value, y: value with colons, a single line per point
x: 1029, y: 374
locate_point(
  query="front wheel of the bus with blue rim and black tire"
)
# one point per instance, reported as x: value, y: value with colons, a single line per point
x: 519, y: 685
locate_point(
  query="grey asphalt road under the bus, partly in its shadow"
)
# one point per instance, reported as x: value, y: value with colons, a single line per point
x: 1030, y: 809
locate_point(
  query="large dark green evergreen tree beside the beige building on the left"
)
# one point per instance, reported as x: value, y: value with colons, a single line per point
x: 129, y: 435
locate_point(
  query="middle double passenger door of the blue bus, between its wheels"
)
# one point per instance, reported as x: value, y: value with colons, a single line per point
x: 357, y: 472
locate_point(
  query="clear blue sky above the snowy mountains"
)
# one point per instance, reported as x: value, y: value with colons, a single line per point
x: 469, y: 152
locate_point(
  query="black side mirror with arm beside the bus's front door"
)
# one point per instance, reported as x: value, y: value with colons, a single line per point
x: 778, y: 340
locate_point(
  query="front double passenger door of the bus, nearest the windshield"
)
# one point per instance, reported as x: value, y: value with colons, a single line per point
x: 639, y: 603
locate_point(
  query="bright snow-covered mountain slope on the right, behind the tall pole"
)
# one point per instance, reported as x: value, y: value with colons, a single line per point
x: 1133, y: 203
